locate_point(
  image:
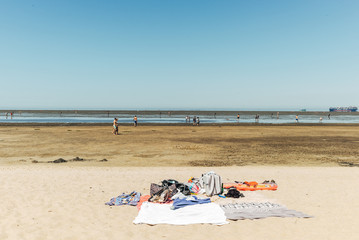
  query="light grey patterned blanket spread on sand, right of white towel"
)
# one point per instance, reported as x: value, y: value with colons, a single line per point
x: 247, y: 210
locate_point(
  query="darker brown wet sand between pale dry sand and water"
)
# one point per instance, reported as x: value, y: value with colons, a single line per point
x: 320, y: 145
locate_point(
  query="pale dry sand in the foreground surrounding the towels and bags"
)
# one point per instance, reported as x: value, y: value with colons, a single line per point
x: 65, y: 202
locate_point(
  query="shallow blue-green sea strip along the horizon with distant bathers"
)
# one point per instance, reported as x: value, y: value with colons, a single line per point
x: 175, y: 117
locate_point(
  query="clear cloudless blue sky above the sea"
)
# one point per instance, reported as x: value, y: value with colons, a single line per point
x: 179, y: 54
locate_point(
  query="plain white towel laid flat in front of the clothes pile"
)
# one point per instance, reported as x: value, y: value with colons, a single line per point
x: 154, y: 213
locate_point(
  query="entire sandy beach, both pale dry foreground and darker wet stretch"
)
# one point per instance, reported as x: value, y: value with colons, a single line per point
x: 66, y: 200
